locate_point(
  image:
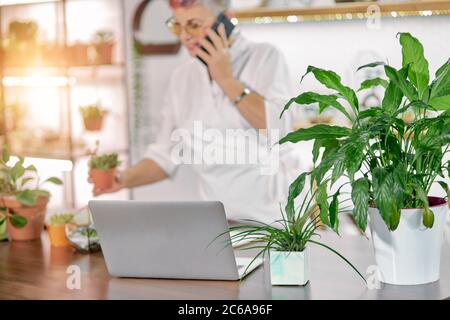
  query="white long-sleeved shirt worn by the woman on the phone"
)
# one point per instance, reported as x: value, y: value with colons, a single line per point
x: 193, y: 101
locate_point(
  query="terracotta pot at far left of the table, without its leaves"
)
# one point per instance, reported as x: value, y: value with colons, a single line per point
x: 35, y: 216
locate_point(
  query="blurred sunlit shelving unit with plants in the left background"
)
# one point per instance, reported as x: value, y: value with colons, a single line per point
x: 43, y: 84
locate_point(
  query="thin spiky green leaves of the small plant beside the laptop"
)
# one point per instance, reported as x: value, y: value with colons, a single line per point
x: 296, y: 229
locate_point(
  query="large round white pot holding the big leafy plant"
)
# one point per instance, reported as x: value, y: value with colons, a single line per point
x: 411, y: 254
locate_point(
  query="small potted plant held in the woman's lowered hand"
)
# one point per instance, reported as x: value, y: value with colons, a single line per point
x: 103, y: 169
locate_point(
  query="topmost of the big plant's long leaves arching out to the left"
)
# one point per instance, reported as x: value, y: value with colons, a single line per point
x: 333, y: 81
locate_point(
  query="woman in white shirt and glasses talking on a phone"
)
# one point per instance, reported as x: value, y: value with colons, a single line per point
x: 238, y: 91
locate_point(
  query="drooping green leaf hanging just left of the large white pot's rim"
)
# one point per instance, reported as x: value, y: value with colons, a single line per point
x: 360, y: 198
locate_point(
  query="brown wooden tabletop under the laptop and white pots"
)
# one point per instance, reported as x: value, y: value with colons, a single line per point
x: 34, y: 270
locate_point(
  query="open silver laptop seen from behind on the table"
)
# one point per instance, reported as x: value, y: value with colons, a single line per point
x: 173, y: 240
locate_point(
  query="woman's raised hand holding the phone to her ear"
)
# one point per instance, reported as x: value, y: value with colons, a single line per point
x: 217, y: 56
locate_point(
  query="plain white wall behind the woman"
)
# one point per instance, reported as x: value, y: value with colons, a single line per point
x: 338, y: 45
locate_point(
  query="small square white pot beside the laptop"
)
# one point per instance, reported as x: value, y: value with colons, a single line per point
x: 289, y: 268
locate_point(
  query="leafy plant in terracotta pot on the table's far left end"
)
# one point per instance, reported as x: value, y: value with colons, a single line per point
x: 24, y: 207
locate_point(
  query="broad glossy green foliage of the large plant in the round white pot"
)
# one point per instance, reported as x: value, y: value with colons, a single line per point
x: 390, y: 164
